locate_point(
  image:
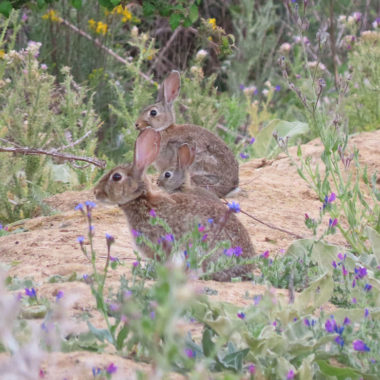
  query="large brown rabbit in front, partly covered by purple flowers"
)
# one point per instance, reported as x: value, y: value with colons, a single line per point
x: 127, y: 186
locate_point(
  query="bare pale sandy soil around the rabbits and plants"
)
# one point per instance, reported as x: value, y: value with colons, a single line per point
x: 271, y: 191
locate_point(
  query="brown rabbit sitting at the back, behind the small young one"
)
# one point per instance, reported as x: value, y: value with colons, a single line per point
x: 215, y: 166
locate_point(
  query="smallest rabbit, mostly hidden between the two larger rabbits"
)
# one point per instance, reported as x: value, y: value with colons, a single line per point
x: 177, y: 178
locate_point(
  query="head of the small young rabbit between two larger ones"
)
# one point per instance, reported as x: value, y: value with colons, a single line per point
x: 172, y: 178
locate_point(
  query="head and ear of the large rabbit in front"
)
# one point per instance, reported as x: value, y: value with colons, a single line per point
x: 125, y: 183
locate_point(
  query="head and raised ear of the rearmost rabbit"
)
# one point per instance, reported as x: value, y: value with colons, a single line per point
x: 160, y: 115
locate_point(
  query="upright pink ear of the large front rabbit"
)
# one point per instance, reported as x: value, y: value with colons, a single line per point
x: 147, y: 147
